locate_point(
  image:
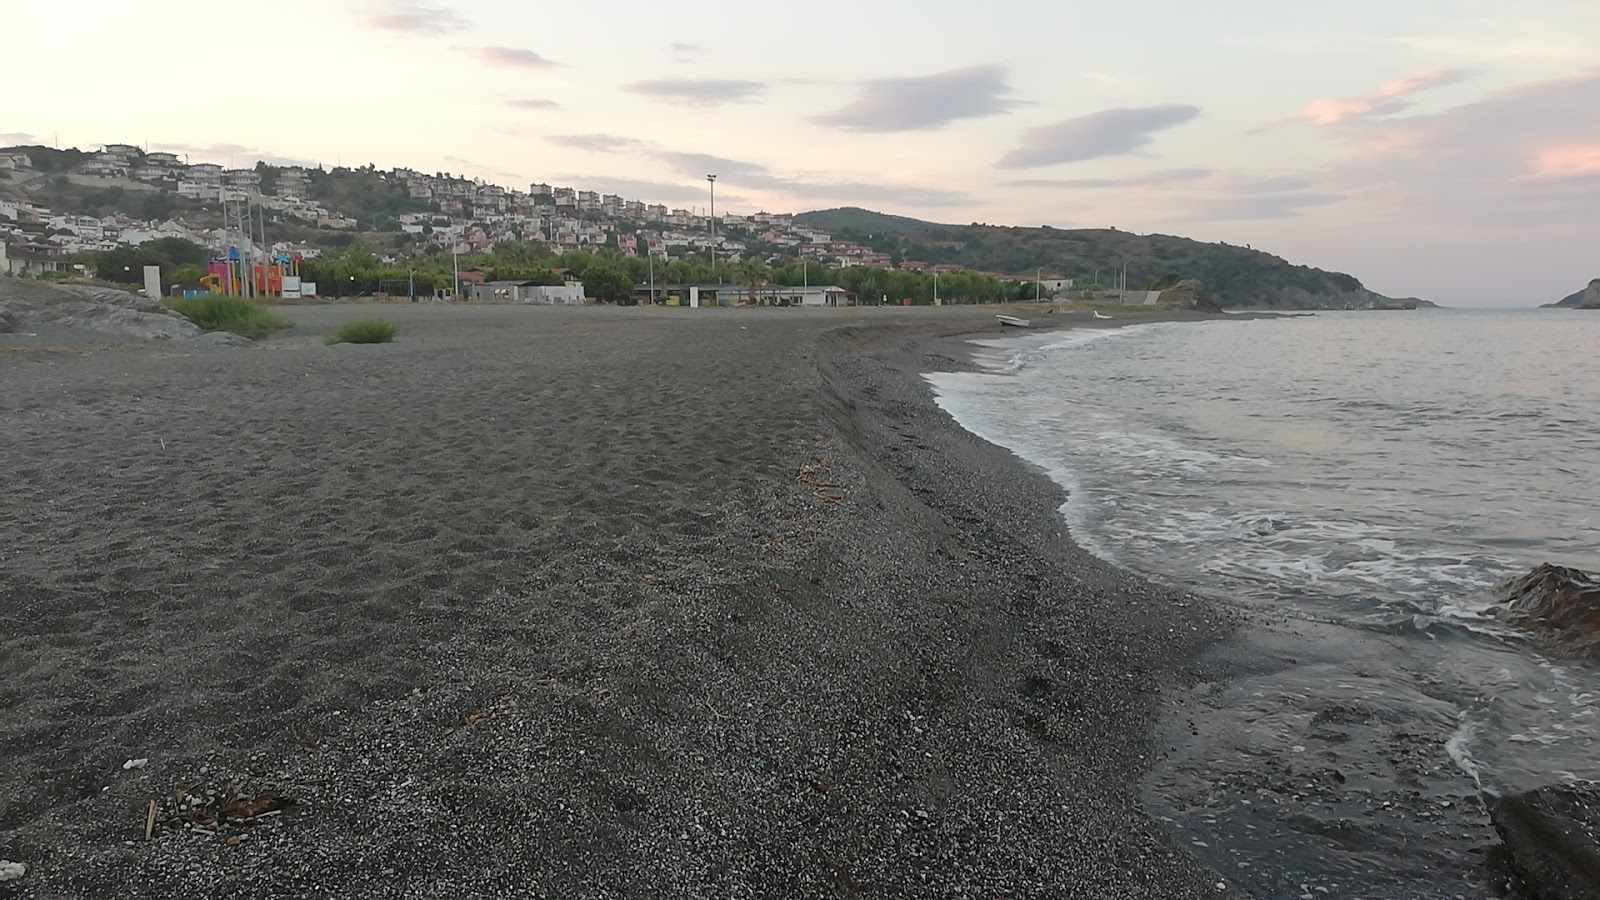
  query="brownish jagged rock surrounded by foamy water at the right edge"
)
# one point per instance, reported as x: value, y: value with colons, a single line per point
x: 1558, y: 605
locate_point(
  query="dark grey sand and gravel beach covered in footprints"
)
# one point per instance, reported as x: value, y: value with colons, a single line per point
x: 562, y: 603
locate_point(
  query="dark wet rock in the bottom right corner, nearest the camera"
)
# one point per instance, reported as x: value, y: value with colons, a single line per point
x: 1553, y: 838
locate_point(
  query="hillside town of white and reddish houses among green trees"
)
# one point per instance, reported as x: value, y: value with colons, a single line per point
x: 225, y: 209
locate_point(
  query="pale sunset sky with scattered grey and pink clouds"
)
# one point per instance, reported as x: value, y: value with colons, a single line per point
x: 1447, y: 150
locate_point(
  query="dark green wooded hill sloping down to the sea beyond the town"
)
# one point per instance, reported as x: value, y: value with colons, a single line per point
x: 1239, y: 276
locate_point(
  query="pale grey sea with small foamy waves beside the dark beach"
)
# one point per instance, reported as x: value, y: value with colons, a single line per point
x: 1380, y: 472
